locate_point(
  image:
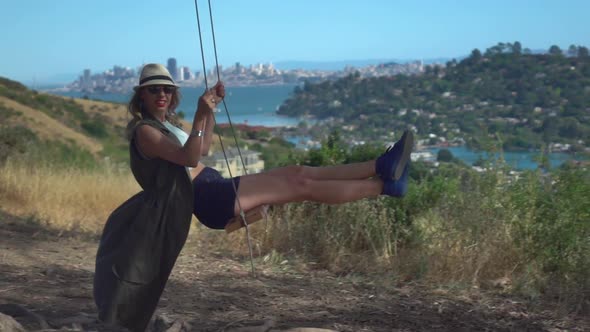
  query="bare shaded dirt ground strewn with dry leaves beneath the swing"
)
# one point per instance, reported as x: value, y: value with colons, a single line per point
x: 46, y: 283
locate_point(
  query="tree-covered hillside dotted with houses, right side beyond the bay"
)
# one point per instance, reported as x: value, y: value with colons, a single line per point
x: 523, y: 100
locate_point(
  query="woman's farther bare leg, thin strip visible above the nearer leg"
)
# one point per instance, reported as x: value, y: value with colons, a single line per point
x: 353, y: 171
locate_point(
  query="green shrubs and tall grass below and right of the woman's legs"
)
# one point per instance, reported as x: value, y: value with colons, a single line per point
x: 455, y: 225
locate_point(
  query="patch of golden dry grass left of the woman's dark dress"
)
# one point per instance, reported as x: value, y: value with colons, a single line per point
x: 64, y: 198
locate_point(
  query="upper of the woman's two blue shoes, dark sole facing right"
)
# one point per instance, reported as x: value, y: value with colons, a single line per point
x: 392, y: 163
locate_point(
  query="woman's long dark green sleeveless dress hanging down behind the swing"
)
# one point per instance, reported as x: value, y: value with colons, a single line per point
x: 142, y: 239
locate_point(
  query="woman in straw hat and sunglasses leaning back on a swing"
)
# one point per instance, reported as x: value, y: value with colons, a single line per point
x: 144, y: 236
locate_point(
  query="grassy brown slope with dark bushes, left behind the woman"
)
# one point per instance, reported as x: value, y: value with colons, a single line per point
x: 76, y: 125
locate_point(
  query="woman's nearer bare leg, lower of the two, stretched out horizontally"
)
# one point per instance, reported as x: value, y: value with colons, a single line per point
x: 275, y: 188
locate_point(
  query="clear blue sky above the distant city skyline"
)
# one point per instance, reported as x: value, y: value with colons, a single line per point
x: 53, y: 40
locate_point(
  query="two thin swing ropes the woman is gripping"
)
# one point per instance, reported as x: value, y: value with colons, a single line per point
x: 242, y: 213
